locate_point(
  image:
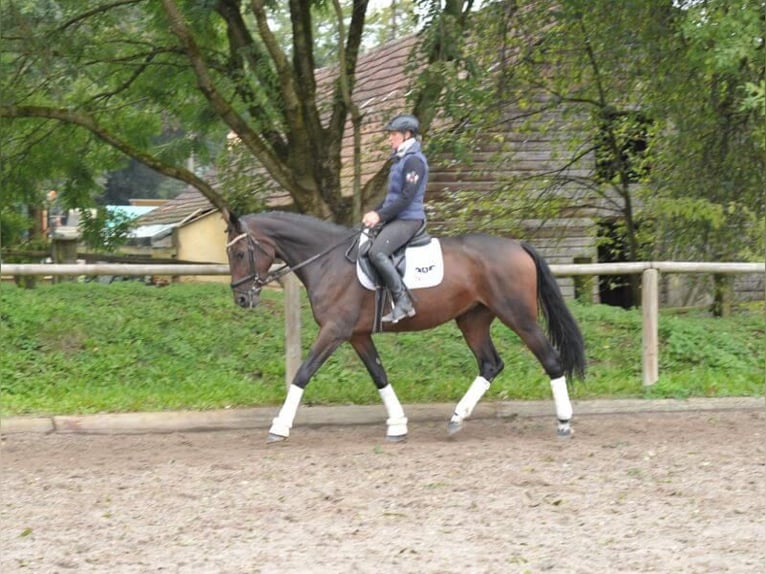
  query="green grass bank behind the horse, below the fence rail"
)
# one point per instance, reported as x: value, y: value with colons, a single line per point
x: 86, y: 348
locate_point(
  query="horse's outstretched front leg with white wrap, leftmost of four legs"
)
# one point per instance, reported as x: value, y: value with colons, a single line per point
x: 325, y: 345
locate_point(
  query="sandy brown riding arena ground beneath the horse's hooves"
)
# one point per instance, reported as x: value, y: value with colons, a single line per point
x: 671, y: 492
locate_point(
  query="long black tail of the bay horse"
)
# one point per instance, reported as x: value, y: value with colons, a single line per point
x: 563, y: 330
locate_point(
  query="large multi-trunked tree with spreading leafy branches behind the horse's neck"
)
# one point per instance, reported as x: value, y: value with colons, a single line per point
x: 126, y: 70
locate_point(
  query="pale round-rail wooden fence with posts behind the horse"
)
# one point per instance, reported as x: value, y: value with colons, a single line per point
x: 649, y: 271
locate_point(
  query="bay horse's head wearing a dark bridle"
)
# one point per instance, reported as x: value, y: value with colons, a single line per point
x: 249, y: 261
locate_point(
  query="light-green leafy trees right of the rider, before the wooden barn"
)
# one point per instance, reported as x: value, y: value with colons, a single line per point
x: 652, y: 109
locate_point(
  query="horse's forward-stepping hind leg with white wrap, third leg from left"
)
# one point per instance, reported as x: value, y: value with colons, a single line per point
x: 475, y: 326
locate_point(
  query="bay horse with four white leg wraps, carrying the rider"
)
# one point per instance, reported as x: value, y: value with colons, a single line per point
x: 485, y: 277
